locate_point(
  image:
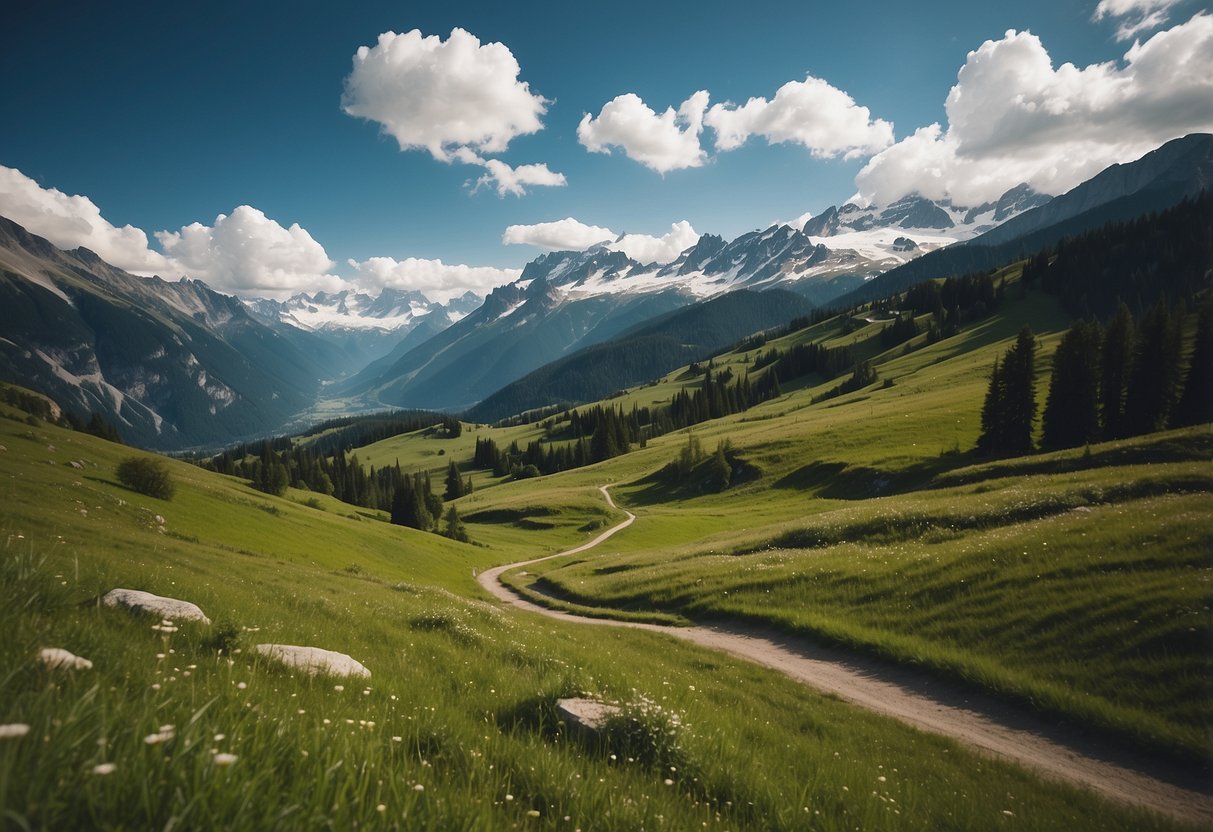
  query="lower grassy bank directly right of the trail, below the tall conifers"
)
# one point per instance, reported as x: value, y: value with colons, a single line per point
x: 1087, y: 595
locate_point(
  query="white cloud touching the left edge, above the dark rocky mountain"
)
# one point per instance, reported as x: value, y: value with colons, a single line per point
x: 71, y: 223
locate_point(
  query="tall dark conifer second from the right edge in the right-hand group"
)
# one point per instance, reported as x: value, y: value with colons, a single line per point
x: 1154, y: 381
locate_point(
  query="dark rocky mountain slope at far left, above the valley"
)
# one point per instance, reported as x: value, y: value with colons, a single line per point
x: 170, y: 364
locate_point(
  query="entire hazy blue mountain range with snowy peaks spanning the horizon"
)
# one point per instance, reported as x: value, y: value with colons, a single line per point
x: 175, y: 364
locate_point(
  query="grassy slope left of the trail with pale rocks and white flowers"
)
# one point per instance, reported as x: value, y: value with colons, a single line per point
x: 454, y: 731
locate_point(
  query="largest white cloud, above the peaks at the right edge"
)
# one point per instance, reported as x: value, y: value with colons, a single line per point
x: 1013, y: 118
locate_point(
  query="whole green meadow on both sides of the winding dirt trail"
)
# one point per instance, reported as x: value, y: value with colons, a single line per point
x: 1078, y: 583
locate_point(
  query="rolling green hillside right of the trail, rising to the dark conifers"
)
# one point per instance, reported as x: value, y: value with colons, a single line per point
x: 1073, y: 582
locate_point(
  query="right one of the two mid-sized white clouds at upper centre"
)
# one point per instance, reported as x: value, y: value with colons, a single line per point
x: 812, y: 113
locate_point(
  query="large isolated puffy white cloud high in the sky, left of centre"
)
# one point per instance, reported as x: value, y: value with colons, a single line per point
x: 438, y: 95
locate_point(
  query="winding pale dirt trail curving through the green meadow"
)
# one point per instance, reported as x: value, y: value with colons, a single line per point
x: 983, y: 723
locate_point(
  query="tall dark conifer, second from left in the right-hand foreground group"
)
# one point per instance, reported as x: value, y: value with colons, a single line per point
x: 1072, y: 409
